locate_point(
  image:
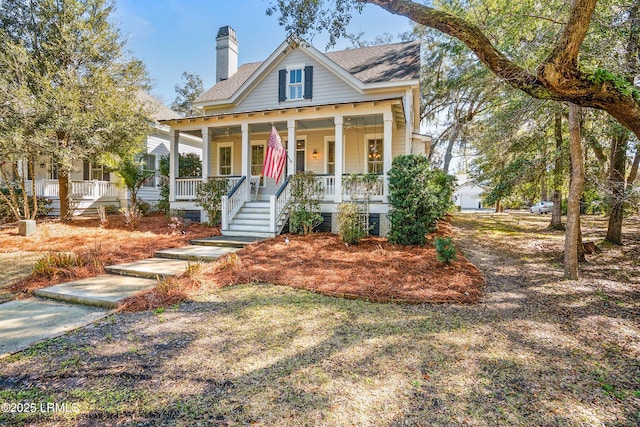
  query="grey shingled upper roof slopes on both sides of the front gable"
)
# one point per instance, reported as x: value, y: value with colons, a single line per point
x: 375, y: 64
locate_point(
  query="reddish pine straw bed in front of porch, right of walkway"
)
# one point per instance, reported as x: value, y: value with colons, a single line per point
x: 374, y: 270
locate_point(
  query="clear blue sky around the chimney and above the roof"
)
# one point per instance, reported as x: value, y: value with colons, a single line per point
x: 173, y: 36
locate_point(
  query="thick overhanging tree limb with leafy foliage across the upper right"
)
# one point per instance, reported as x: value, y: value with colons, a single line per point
x: 555, y: 71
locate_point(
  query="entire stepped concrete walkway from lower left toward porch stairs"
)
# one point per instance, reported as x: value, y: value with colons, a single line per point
x: 72, y: 305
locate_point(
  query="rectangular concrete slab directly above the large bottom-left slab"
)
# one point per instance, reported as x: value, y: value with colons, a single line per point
x: 101, y: 291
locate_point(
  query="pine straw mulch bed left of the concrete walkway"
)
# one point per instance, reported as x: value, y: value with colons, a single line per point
x: 95, y: 246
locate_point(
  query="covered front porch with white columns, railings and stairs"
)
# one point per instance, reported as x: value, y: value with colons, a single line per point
x: 334, y: 142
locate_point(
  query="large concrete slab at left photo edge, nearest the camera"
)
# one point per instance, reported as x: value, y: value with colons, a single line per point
x: 26, y: 322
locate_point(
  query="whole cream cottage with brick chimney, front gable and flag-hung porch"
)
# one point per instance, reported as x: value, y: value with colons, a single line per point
x: 338, y: 113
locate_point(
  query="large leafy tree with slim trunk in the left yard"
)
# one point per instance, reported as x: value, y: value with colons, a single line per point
x: 74, y: 70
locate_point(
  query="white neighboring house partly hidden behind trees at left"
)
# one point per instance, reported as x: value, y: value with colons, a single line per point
x: 93, y: 185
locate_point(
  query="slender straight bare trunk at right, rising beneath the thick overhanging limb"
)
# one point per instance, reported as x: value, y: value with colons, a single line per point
x: 573, y: 238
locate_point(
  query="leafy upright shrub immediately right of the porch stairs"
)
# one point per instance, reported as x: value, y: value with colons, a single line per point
x: 306, y: 193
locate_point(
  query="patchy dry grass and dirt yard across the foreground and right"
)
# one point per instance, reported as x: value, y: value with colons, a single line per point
x: 536, y: 350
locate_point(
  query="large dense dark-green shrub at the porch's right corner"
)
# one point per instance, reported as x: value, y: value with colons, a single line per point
x: 419, y: 197
